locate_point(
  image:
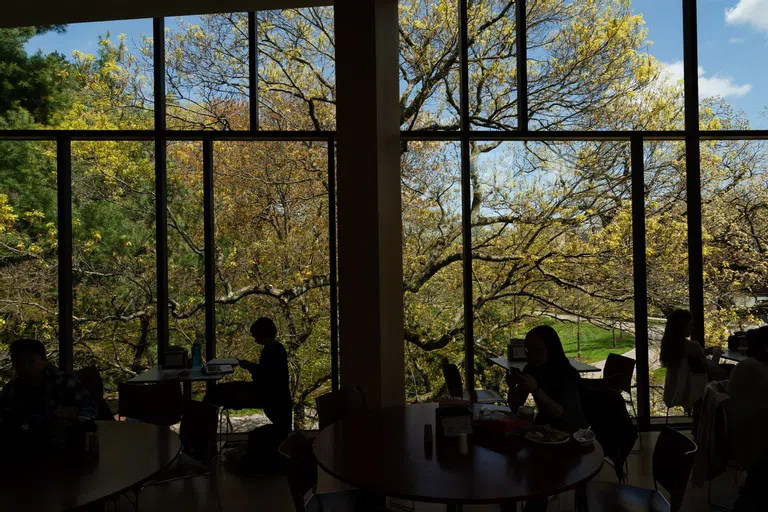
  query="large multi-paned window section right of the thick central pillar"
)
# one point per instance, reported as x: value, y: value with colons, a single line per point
x: 578, y: 186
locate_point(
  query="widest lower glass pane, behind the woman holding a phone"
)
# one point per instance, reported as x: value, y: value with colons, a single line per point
x: 552, y: 244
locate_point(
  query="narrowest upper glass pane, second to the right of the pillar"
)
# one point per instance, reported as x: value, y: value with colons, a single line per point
x: 492, y: 65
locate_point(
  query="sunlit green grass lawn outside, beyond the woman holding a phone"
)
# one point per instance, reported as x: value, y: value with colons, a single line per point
x: 596, y: 342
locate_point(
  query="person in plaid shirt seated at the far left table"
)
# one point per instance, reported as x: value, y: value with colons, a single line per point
x: 41, y: 400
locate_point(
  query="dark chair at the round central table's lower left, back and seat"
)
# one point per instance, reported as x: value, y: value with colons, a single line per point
x: 300, y: 468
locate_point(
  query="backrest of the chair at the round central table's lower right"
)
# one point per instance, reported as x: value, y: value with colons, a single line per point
x: 672, y: 463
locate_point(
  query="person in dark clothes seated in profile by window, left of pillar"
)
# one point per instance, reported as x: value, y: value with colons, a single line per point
x: 269, y: 389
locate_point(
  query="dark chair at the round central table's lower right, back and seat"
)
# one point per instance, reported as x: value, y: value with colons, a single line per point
x: 672, y: 463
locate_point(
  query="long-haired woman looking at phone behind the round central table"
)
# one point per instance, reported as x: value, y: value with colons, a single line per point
x: 550, y: 379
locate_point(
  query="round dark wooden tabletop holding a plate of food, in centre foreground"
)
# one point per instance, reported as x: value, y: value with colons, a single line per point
x: 382, y: 451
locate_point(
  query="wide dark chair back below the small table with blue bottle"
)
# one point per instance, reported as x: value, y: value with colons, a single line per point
x: 159, y: 404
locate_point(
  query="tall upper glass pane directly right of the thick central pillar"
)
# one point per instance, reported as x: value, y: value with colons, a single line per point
x: 429, y: 65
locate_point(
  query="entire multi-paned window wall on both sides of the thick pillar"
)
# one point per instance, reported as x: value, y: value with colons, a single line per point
x: 564, y: 162
